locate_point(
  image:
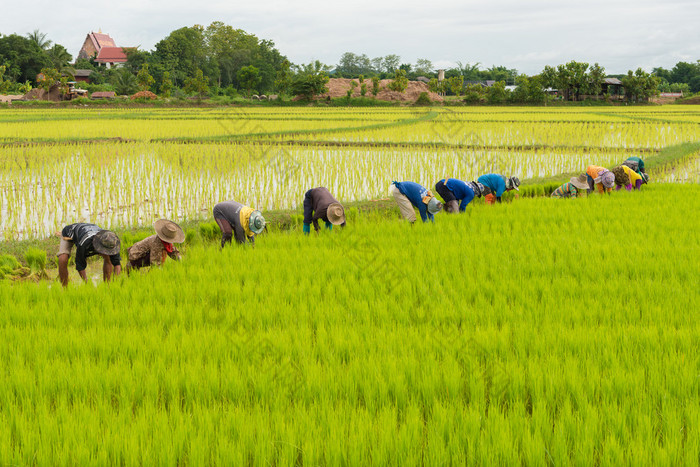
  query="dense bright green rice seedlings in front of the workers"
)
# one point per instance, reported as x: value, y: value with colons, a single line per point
x: 538, y: 332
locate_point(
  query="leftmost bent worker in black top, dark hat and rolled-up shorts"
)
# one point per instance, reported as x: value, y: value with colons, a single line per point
x: 89, y: 240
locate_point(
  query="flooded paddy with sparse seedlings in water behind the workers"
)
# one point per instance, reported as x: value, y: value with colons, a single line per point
x: 136, y: 189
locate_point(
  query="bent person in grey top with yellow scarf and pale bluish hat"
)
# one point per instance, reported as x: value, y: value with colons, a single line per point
x: 239, y: 221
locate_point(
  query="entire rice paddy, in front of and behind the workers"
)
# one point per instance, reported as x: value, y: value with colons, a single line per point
x: 535, y: 332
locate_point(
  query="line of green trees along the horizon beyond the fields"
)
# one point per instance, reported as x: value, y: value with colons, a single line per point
x: 221, y: 60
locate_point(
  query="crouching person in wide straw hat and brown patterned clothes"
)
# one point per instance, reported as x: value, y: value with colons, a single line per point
x: 155, y: 249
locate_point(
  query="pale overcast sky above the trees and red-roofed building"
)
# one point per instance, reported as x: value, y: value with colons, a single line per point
x: 618, y: 34
